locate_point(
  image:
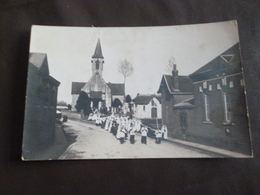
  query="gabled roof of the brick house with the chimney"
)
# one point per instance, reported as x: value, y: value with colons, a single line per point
x: 185, y: 84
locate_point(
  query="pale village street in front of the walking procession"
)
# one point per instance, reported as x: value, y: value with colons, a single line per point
x: 92, y: 142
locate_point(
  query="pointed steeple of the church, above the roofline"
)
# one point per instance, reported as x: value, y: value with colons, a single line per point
x: 97, y: 60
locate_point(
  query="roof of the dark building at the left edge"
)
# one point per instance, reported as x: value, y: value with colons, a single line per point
x: 39, y: 60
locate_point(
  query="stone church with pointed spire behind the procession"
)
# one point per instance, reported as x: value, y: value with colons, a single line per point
x: 97, y: 89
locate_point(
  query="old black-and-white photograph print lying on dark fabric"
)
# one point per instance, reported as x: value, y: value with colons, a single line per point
x: 135, y: 92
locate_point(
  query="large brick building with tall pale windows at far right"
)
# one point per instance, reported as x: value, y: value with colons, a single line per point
x: 219, y: 103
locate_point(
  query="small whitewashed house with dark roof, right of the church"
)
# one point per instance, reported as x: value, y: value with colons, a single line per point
x: 147, y: 106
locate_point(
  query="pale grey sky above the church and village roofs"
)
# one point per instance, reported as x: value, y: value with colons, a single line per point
x: 69, y: 51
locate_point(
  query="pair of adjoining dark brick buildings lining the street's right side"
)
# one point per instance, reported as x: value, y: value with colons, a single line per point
x: 209, y: 106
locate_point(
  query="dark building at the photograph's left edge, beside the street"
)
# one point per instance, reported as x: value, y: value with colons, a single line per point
x: 40, y: 108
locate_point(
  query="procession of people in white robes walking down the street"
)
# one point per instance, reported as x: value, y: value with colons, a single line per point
x: 122, y: 126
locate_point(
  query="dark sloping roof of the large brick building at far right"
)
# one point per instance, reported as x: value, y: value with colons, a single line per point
x: 227, y: 62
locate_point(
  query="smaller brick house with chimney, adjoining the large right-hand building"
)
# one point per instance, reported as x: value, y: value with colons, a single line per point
x: 177, y: 102
